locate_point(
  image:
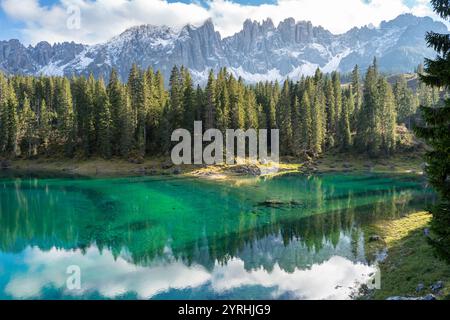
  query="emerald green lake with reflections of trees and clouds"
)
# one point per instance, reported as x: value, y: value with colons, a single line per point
x: 178, y: 238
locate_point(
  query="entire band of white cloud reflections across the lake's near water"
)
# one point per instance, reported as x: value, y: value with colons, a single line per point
x: 112, y: 276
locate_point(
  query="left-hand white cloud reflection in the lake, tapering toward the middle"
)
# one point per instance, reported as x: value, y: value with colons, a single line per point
x: 100, y: 272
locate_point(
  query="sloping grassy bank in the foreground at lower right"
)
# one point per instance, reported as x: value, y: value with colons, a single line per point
x: 412, y: 265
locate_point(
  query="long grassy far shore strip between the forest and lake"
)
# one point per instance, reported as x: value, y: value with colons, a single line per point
x: 402, y: 163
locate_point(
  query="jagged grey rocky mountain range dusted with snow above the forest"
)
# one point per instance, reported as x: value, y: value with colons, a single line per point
x: 260, y: 51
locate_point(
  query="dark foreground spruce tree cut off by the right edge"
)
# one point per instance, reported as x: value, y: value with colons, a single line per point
x: 436, y: 130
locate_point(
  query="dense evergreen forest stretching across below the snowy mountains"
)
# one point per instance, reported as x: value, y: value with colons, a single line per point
x: 85, y: 117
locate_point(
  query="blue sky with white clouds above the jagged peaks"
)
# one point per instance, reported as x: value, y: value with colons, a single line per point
x: 96, y: 21
